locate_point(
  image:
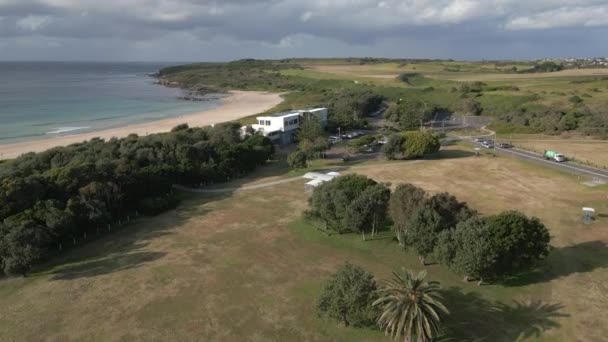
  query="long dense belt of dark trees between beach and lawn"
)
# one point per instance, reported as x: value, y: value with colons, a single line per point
x: 49, y: 199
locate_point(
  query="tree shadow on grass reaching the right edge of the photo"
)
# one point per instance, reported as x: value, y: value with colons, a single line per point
x: 564, y: 261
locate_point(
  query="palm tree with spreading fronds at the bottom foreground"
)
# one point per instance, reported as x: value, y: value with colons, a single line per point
x: 411, y: 308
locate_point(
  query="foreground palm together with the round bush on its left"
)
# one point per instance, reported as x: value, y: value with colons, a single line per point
x: 406, y: 306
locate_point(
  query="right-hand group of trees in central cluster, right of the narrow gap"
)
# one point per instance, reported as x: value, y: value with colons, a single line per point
x: 458, y: 237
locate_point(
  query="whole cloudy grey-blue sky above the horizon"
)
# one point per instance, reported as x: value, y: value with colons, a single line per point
x: 215, y: 30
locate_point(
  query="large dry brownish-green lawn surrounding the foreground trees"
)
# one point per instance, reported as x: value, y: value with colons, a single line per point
x: 245, y: 266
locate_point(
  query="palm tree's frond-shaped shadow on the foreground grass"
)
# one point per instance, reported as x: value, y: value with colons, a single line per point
x: 474, y: 318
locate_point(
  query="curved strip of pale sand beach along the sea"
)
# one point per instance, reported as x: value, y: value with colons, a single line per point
x: 239, y: 104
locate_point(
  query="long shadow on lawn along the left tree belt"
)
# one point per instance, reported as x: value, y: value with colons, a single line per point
x: 128, y: 247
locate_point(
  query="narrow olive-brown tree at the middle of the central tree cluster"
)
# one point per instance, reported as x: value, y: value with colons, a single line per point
x: 405, y: 200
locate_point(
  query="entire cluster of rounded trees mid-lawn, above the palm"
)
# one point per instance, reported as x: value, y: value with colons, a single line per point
x: 436, y: 225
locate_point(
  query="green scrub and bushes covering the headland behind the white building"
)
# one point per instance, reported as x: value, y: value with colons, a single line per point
x: 417, y: 99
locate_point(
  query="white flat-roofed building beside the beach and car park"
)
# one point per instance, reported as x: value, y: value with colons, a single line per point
x: 282, y: 127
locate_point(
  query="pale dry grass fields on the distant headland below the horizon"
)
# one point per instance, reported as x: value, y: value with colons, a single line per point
x: 550, y: 90
